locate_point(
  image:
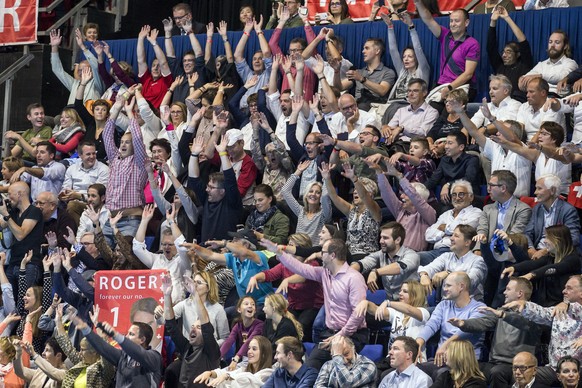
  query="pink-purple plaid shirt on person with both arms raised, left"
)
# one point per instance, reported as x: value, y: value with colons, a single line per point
x: 127, y: 176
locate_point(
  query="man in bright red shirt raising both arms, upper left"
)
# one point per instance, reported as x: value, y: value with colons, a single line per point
x: 157, y: 79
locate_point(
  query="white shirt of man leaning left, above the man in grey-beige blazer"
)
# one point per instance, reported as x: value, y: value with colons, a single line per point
x: 502, y: 160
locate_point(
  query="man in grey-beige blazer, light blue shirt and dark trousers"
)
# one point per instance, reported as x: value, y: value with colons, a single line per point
x: 509, y: 214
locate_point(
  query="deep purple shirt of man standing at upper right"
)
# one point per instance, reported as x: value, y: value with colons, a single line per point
x: 469, y: 50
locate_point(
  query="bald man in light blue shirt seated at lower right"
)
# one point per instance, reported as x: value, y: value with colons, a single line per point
x: 457, y: 303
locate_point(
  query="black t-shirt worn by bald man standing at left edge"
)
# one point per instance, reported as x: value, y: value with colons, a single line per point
x: 31, y: 241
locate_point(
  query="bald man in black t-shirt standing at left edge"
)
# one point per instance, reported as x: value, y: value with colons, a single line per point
x: 25, y: 223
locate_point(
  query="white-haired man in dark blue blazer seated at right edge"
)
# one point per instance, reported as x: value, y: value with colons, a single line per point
x: 549, y: 211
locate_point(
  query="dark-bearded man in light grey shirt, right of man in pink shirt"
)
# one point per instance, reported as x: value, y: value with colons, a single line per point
x: 393, y: 264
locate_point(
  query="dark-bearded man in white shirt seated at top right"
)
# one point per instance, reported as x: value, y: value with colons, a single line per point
x: 556, y: 67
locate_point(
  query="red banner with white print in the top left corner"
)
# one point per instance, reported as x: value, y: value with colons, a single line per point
x: 18, y: 22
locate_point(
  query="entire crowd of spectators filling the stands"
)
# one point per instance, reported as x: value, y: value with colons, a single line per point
x: 282, y: 194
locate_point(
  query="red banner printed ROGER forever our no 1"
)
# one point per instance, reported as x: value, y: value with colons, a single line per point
x: 124, y: 297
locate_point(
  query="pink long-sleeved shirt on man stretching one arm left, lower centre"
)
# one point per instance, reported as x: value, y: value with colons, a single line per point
x: 341, y: 292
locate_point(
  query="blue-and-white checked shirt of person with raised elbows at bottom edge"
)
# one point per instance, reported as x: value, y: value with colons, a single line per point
x: 336, y: 374
